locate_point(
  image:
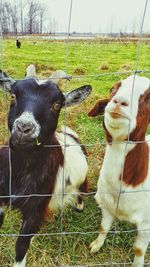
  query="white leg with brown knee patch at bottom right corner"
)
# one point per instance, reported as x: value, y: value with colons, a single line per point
x: 140, y: 245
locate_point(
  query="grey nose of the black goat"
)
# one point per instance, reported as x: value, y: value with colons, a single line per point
x: 24, y: 129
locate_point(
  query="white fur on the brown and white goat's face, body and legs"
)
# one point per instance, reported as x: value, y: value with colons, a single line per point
x: 133, y: 206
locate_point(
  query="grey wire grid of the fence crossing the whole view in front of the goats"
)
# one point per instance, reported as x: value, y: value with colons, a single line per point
x: 62, y: 233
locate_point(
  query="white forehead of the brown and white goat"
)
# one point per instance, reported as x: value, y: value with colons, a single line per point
x: 134, y: 85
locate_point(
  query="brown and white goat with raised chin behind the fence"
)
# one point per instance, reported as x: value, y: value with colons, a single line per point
x: 123, y: 189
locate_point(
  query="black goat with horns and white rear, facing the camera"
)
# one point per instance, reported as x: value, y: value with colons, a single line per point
x: 43, y: 176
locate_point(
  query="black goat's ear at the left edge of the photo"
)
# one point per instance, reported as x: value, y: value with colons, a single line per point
x: 5, y: 81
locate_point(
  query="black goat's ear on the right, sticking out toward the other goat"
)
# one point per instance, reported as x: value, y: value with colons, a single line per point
x: 77, y: 96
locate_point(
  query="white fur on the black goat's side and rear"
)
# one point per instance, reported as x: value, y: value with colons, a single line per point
x: 75, y: 167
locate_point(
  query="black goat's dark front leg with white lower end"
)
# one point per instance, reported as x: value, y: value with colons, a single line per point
x: 30, y: 226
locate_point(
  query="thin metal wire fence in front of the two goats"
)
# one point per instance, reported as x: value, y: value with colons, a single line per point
x: 62, y: 229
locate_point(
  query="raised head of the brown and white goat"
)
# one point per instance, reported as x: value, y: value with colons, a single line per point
x: 127, y: 110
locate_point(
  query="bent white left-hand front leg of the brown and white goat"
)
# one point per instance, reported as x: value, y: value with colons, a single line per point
x: 107, y: 220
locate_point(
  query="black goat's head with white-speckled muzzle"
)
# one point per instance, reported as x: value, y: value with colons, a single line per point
x: 35, y: 109
